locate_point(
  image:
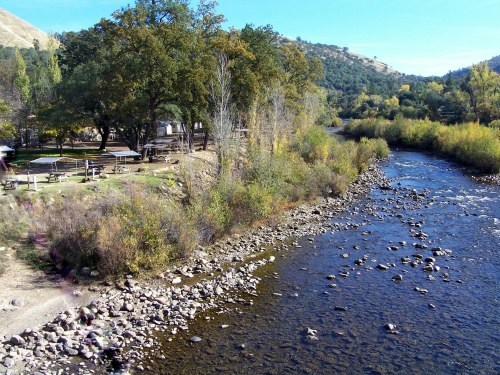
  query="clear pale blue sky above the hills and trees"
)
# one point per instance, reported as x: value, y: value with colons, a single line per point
x: 426, y: 37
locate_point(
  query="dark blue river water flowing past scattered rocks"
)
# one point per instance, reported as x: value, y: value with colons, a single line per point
x: 445, y: 322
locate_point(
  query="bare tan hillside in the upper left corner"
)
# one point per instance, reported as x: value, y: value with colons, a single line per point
x: 15, y: 32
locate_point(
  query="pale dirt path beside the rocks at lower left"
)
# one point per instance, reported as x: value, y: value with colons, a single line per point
x: 29, y: 297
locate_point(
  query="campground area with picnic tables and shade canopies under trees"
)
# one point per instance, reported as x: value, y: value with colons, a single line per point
x: 41, y: 171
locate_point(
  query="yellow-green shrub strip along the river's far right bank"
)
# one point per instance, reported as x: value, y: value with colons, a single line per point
x: 471, y: 144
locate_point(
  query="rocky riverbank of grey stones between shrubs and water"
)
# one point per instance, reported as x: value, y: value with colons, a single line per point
x: 112, y: 330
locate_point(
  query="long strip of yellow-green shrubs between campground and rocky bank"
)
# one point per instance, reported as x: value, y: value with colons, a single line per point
x: 133, y: 228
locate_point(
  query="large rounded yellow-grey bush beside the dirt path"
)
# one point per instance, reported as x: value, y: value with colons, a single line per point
x: 117, y: 233
